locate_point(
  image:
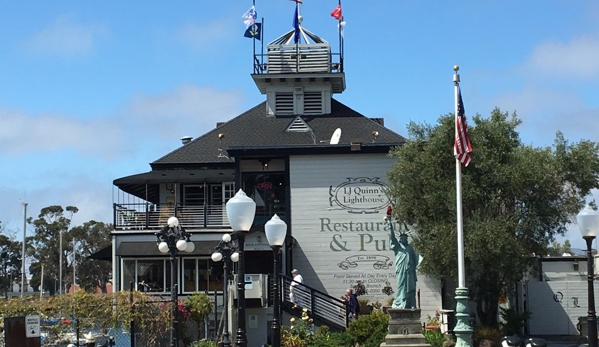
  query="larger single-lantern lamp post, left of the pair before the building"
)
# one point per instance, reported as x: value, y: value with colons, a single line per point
x: 240, y: 212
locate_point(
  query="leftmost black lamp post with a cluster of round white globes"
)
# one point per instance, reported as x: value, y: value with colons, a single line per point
x: 171, y: 239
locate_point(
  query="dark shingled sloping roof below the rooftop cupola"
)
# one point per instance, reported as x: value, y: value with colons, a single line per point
x: 255, y: 128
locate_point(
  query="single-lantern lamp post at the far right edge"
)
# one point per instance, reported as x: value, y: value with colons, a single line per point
x: 588, y: 223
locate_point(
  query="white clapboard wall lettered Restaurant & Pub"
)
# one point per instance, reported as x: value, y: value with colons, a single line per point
x: 320, y: 249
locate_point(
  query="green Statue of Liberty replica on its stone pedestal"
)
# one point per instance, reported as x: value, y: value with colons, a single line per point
x: 404, y: 315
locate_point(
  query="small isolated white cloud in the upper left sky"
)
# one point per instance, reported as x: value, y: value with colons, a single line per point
x: 65, y: 37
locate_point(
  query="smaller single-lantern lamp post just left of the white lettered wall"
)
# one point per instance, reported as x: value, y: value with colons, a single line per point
x: 276, y: 230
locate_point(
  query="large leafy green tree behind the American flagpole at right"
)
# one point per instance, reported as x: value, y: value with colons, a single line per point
x: 516, y: 199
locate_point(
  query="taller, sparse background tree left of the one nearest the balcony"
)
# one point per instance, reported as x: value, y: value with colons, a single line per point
x: 45, y: 246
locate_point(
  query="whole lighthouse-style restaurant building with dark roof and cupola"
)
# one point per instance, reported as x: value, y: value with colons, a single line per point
x: 300, y: 154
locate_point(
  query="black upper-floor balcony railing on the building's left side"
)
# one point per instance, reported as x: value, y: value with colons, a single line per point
x: 146, y: 216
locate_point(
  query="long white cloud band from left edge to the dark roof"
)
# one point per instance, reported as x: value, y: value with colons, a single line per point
x: 186, y: 110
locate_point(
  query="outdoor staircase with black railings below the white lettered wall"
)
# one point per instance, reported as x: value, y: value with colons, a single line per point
x: 322, y: 308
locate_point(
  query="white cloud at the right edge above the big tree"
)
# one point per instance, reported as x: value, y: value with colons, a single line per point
x: 576, y: 58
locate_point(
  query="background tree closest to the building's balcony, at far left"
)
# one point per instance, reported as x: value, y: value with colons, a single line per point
x: 91, y: 237
